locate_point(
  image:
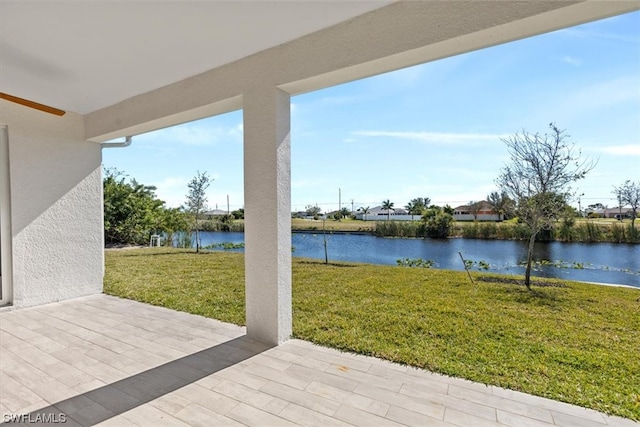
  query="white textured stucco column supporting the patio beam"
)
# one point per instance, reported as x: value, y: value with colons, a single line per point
x: 267, y: 195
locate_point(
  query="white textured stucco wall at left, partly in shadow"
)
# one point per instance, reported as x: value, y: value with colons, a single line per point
x: 56, y: 205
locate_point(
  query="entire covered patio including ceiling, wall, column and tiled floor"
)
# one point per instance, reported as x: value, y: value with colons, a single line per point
x: 119, y: 69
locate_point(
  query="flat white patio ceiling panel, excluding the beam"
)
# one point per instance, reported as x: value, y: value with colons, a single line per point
x: 84, y: 56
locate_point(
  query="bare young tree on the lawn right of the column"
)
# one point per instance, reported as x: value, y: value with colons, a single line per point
x: 538, y: 178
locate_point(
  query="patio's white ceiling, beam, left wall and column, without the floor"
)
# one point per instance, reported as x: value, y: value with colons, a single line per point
x: 185, y: 61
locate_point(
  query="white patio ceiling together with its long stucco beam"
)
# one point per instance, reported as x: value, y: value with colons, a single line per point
x: 137, y: 66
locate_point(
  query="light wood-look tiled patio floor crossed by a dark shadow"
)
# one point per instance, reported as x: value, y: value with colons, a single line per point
x: 107, y: 361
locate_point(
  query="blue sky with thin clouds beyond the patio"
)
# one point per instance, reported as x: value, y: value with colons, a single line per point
x: 431, y: 130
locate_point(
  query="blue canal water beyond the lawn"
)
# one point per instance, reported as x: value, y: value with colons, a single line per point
x: 610, y: 263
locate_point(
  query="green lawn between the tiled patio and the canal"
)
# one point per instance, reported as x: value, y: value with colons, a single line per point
x: 578, y: 343
